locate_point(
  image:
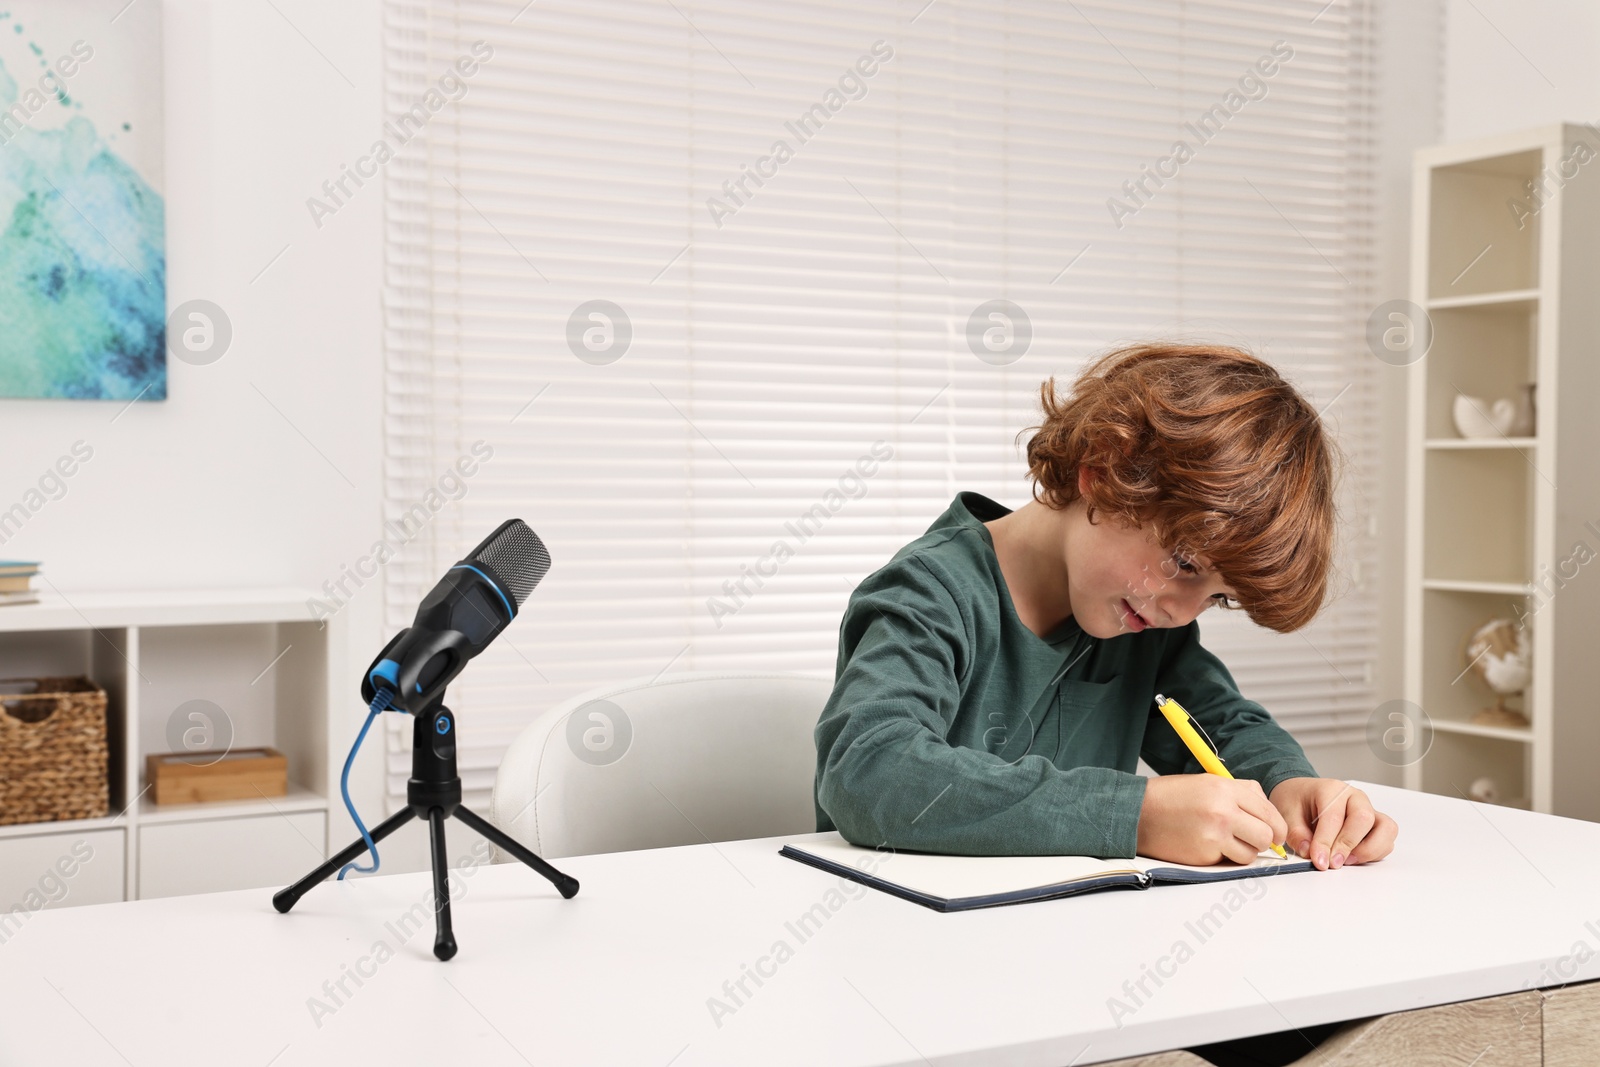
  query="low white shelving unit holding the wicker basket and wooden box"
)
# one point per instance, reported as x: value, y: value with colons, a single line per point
x: 254, y: 653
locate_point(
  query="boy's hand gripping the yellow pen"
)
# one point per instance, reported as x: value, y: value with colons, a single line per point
x: 1204, y: 820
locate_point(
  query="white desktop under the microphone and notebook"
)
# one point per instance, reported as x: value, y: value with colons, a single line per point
x: 1476, y: 901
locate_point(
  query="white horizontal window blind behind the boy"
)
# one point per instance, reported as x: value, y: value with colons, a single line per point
x: 810, y: 369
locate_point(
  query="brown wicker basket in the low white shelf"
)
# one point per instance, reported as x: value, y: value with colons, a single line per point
x: 52, y: 751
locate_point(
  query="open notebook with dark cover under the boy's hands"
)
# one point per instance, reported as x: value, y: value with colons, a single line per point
x: 956, y: 884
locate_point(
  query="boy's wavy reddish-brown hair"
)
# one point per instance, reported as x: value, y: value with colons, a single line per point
x: 1217, y: 452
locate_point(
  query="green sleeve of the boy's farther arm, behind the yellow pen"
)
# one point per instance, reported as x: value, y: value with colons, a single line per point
x: 1249, y: 740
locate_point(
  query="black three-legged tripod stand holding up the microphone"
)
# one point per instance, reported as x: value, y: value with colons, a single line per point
x: 434, y: 794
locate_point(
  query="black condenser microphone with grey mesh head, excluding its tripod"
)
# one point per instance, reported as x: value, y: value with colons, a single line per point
x: 460, y: 618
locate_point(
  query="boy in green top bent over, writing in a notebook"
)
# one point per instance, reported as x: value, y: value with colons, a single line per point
x: 996, y: 681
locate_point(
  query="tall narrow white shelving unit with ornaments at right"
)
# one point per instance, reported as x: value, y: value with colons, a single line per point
x: 1492, y: 526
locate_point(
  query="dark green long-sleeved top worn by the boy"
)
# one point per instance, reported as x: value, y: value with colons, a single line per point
x: 954, y: 729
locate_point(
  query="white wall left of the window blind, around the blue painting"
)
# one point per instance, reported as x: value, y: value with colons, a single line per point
x: 215, y: 487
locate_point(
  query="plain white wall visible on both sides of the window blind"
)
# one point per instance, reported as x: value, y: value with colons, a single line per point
x: 217, y: 487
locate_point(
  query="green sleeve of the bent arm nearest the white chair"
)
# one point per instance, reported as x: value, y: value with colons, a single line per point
x: 887, y: 777
